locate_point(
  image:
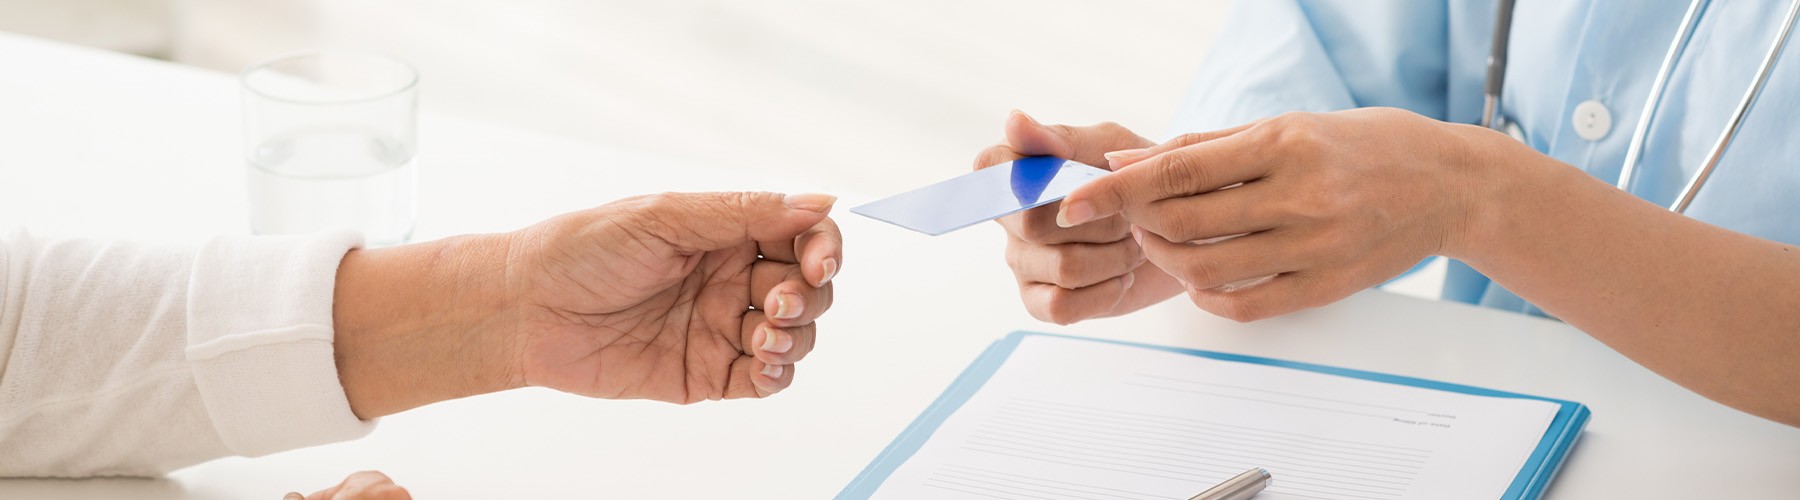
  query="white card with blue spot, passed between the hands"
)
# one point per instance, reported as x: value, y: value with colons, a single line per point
x: 984, y: 195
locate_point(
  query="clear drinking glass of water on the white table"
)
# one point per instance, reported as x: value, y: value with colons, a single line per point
x: 330, y: 141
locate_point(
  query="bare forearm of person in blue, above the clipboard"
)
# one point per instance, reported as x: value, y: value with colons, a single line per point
x: 1709, y: 308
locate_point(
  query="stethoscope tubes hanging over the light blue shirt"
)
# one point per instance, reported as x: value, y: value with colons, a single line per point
x: 1497, y: 67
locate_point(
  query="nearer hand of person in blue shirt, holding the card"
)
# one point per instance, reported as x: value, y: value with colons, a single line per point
x: 1329, y: 204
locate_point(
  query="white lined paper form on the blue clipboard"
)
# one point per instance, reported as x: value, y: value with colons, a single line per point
x: 1074, y: 420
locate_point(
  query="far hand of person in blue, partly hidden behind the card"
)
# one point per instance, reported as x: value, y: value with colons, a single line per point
x: 1079, y: 272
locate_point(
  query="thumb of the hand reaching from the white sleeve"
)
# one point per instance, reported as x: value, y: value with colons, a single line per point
x: 703, y: 222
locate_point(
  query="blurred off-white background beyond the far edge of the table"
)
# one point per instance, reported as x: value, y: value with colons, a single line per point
x: 868, y: 96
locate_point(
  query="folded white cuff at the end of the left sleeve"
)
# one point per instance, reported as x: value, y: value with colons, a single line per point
x: 260, y: 341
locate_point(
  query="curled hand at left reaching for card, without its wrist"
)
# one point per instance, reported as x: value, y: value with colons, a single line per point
x: 676, y: 298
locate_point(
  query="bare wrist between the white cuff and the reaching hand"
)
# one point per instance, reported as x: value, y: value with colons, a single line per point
x: 426, y: 323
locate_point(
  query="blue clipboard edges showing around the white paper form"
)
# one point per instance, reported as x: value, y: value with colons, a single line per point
x: 1531, y: 483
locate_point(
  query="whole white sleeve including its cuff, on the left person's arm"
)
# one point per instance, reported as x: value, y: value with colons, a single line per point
x: 136, y: 361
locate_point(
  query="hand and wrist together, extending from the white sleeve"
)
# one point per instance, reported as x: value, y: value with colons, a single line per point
x: 670, y: 298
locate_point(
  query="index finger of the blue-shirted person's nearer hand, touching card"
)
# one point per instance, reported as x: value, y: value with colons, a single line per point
x: 1203, y: 166
